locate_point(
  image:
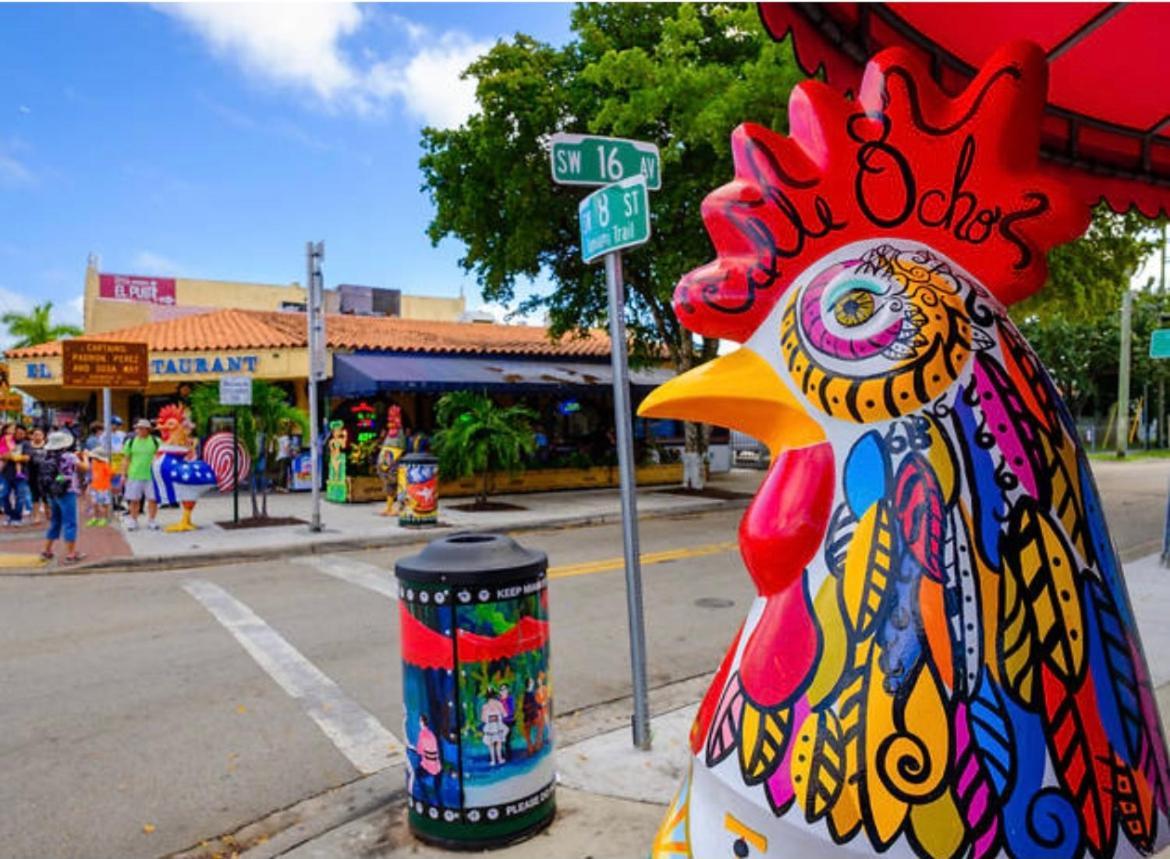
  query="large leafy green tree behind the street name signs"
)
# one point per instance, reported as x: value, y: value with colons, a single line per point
x: 682, y: 77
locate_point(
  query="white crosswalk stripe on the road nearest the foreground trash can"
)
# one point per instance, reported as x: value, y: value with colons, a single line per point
x: 355, y: 732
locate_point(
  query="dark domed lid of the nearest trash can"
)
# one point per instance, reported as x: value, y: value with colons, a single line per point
x: 472, y: 559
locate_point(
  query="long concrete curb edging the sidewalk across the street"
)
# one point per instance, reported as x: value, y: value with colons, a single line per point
x: 143, y: 563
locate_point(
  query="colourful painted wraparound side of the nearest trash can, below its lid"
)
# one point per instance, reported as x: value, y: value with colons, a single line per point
x: 501, y: 697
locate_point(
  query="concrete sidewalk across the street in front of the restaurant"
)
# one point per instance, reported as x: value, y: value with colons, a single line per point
x: 348, y: 527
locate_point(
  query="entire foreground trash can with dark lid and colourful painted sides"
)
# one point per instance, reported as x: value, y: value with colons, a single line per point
x: 478, y: 703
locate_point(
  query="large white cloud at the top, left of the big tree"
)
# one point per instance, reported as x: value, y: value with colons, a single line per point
x: 300, y: 47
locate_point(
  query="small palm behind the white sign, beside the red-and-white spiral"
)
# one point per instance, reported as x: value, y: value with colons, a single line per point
x: 259, y: 428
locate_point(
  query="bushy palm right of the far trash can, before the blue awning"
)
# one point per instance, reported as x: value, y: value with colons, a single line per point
x: 479, y: 437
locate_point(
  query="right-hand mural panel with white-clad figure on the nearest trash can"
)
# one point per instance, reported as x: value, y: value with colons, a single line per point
x: 506, y: 698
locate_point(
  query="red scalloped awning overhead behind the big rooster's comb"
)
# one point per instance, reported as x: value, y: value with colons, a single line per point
x: 1107, y: 127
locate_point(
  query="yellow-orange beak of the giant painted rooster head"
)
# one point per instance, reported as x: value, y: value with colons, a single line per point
x: 740, y: 391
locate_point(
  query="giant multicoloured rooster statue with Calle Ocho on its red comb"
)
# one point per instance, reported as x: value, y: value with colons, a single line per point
x: 942, y: 661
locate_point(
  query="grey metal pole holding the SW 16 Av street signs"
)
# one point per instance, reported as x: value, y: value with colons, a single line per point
x: 622, y: 417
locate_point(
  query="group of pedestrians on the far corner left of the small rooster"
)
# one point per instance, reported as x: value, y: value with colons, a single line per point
x: 56, y: 477
